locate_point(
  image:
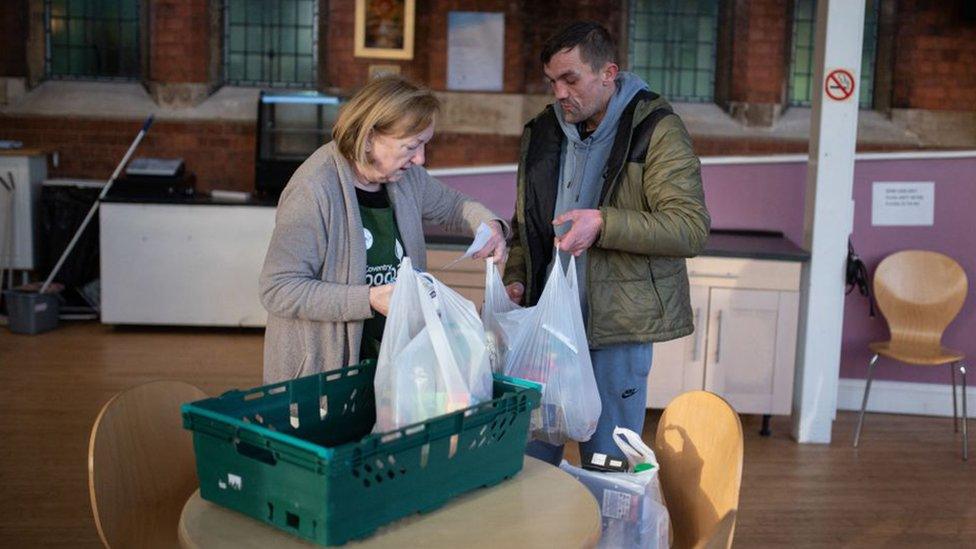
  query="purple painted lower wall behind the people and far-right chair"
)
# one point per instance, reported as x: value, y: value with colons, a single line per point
x: 770, y: 196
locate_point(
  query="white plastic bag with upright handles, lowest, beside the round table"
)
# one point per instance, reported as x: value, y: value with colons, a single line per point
x: 631, y: 504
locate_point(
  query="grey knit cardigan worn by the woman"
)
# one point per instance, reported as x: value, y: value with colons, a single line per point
x: 313, y: 283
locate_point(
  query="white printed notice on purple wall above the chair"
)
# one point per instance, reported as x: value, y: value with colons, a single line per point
x: 903, y: 203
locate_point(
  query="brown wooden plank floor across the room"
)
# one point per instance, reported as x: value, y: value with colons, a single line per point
x: 905, y: 487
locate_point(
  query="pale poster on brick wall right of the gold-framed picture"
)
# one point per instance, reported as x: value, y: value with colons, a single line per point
x: 475, y: 51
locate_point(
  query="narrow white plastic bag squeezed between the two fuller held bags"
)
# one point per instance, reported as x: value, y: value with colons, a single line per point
x: 501, y: 317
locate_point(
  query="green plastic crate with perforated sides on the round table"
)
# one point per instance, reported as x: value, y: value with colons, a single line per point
x: 299, y: 454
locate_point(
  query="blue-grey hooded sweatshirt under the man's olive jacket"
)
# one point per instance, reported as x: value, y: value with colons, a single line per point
x: 582, y: 162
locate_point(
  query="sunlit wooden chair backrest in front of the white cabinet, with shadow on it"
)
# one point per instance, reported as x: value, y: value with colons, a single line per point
x: 699, y: 448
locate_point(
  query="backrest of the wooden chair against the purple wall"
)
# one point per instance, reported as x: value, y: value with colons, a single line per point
x: 919, y: 293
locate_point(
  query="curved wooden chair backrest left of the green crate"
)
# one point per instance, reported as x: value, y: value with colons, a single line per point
x: 141, y: 467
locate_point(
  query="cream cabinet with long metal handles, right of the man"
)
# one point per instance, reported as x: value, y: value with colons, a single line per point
x: 744, y: 344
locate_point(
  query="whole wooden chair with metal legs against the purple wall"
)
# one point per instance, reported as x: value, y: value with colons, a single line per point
x: 919, y: 293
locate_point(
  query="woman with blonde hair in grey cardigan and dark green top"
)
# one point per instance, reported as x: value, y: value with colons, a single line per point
x: 349, y: 214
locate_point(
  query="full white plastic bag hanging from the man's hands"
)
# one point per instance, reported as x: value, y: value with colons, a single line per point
x: 550, y: 347
